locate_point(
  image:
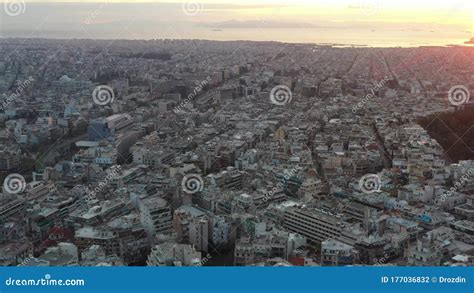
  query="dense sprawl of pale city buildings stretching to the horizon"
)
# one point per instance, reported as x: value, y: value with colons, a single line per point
x: 234, y: 153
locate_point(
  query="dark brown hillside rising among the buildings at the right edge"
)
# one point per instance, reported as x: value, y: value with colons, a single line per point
x: 454, y: 131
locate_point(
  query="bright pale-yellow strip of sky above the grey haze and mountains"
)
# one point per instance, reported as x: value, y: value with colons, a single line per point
x: 452, y: 12
